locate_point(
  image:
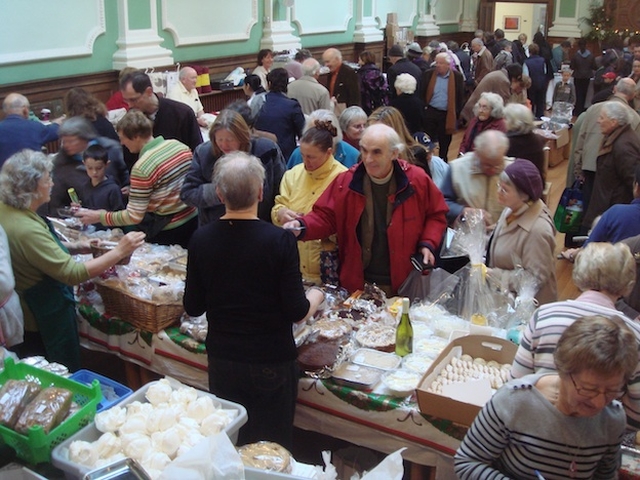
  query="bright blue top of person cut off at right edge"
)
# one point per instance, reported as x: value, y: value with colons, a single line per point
x: 617, y: 223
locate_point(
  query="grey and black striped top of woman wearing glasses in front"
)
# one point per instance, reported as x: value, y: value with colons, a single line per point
x: 519, y: 431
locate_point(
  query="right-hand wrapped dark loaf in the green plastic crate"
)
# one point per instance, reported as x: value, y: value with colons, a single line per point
x: 48, y: 409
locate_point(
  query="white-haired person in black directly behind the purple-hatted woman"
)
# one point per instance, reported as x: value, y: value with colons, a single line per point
x: 523, y: 141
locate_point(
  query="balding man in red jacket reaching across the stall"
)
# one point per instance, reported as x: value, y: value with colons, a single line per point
x: 383, y: 210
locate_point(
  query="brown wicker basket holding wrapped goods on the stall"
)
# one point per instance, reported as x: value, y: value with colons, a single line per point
x: 143, y: 314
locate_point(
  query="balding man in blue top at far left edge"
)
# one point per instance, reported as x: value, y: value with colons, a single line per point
x: 17, y: 132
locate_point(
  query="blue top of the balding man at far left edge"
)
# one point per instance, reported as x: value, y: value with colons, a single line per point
x: 18, y: 133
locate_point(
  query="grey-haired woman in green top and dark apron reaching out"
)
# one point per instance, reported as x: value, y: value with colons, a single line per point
x: 43, y: 267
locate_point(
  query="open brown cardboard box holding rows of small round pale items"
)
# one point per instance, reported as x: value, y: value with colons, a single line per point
x: 489, y: 348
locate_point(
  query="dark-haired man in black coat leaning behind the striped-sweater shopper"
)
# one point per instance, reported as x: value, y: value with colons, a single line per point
x: 171, y: 119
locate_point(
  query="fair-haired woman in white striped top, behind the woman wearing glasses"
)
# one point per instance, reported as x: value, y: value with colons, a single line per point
x: 603, y: 272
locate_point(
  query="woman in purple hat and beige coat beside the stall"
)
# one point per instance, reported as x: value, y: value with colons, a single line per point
x: 524, y: 235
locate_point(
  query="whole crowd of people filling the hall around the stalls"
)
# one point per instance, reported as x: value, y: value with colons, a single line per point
x: 346, y: 183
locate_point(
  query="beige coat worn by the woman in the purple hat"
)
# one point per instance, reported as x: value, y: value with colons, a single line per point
x: 529, y: 240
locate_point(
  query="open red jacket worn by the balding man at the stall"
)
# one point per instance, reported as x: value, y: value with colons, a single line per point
x: 418, y: 220
